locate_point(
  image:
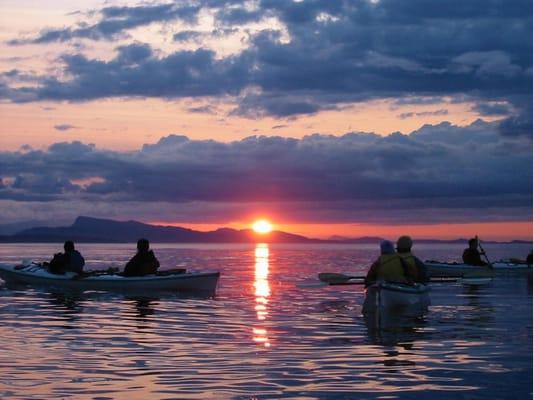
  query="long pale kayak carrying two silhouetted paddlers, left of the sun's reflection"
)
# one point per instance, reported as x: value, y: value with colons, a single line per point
x: 37, y: 275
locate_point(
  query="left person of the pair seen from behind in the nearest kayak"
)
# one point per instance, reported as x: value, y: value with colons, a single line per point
x: 388, y: 267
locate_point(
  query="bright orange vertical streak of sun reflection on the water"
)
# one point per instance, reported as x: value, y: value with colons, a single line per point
x: 262, y: 292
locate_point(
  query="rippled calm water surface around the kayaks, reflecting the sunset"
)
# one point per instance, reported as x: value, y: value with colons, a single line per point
x: 263, y: 336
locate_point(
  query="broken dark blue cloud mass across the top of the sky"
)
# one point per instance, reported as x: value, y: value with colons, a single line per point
x: 334, y: 52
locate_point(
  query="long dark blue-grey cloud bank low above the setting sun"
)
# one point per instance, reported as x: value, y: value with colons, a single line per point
x: 439, y: 167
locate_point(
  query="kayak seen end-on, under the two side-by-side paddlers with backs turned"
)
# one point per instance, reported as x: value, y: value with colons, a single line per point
x: 396, y: 296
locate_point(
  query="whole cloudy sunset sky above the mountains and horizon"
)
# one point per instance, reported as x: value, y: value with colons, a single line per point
x: 353, y: 118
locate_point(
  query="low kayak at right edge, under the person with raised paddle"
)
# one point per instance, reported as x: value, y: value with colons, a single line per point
x: 441, y: 269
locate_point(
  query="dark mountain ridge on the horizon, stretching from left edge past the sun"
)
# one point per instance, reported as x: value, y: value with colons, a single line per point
x: 87, y: 229
